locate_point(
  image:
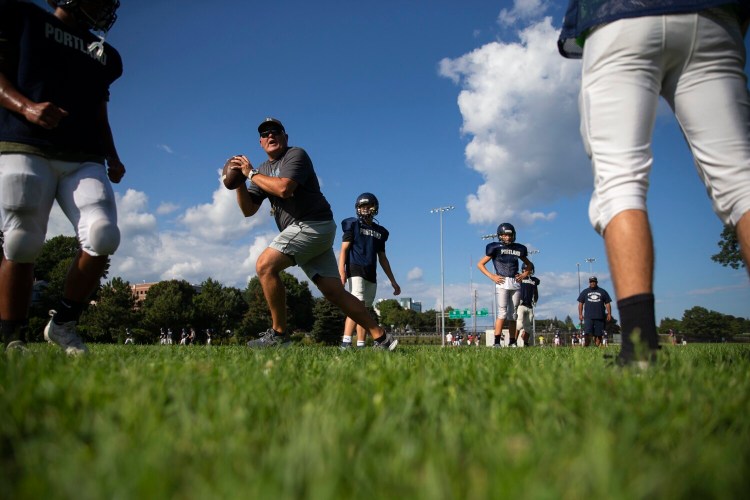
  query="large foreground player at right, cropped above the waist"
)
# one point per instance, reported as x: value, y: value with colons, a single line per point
x: 692, y: 54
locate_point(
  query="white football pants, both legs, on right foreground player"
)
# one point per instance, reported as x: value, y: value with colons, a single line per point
x: 696, y: 61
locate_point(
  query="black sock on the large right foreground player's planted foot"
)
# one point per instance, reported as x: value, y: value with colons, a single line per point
x: 637, y: 316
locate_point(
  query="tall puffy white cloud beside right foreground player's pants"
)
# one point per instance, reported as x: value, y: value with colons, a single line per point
x: 519, y: 105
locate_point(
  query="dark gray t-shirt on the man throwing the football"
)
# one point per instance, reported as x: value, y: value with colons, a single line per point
x: 308, y: 202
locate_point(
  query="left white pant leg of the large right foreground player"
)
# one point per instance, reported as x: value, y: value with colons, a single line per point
x: 620, y: 86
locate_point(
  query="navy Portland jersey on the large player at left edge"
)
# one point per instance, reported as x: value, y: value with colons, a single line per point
x: 47, y: 60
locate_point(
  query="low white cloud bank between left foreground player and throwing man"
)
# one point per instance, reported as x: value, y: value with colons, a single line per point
x: 209, y: 240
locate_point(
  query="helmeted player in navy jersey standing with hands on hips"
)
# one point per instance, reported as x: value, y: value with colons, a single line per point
x: 504, y: 255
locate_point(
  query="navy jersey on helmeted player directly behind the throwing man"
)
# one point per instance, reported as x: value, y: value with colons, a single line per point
x: 367, y: 240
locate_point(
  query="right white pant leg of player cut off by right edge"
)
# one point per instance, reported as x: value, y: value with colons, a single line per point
x: 710, y: 99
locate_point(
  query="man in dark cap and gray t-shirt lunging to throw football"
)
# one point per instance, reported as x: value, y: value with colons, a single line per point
x: 307, y: 231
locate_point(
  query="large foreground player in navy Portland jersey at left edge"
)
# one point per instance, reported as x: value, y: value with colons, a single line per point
x: 55, y: 140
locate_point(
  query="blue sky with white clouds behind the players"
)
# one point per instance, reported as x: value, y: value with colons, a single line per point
x: 424, y: 103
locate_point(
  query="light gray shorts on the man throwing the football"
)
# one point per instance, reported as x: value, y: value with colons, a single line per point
x: 310, y: 244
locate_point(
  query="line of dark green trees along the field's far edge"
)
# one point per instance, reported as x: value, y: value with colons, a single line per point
x: 234, y: 314
